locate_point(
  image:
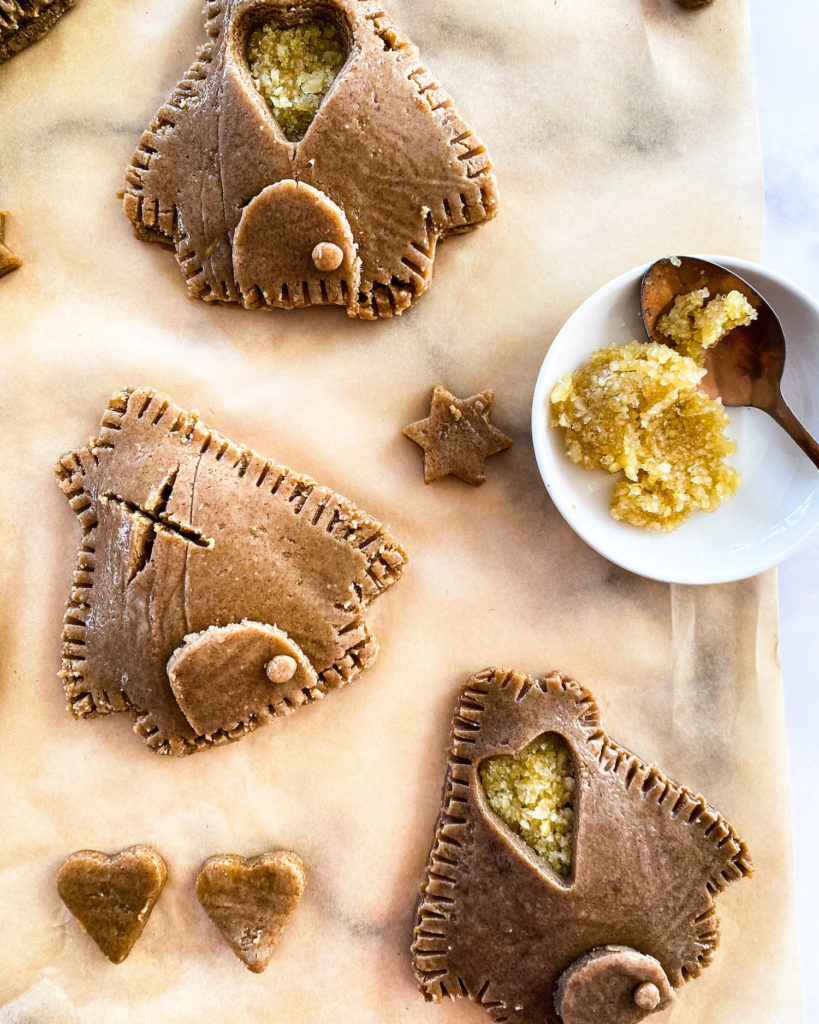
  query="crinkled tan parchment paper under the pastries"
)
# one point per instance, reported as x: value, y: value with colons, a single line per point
x: 621, y: 132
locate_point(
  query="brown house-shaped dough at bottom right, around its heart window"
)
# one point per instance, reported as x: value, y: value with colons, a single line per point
x: 633, y: 920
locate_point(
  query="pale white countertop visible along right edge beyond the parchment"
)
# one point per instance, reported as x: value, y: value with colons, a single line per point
x: 785, y: 44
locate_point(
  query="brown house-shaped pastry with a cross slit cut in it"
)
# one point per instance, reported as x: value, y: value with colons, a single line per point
x: 214, y: 589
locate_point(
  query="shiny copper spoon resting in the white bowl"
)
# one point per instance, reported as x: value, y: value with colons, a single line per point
x: 744, y: 369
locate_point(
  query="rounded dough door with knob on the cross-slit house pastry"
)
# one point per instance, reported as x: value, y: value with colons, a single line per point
x: 230, y: 674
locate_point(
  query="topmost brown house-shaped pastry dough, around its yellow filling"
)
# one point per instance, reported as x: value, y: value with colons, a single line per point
x: 396, y: 167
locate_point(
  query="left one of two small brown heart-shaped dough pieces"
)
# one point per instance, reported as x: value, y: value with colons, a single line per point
x: 112, y: 897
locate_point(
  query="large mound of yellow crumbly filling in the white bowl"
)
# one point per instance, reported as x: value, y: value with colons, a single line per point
x: 636, y: 409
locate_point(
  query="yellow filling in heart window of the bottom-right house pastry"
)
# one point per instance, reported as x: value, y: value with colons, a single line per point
x: 533, y: 793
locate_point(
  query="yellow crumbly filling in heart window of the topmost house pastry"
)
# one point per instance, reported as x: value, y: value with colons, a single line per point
x: 293, y: 67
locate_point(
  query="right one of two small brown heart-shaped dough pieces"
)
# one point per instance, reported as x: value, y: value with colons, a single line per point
x: 250, y: 901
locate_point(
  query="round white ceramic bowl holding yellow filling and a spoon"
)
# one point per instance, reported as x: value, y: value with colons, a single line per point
x: 774, y: 511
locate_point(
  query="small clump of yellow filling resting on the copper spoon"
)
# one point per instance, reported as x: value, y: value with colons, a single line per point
x: 694, y: 324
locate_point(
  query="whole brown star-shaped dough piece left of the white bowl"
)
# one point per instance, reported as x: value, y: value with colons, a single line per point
x: 457, y: 437
